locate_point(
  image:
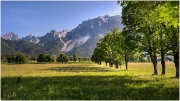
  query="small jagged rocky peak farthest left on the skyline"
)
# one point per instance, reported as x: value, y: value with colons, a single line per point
x: 10, y: 36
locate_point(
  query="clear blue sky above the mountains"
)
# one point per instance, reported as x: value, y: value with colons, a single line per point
x: 40, y: 17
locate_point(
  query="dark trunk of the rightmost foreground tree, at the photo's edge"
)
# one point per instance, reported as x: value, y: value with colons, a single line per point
x: 176, y: 62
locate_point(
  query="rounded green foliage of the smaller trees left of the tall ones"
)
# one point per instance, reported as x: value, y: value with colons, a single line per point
x: 109, y: 49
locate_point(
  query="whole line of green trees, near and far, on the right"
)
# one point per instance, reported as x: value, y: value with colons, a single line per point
x: 151, y: 27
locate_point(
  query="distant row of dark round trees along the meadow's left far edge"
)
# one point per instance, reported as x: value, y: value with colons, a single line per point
x: 42, y: 58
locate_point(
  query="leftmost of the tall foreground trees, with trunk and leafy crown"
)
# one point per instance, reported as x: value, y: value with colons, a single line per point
x: 135, y: 17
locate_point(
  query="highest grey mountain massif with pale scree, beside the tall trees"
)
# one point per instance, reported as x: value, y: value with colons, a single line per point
x: 85, y: 36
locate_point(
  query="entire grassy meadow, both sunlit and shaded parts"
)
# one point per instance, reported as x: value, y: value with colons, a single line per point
x: 87, y: 81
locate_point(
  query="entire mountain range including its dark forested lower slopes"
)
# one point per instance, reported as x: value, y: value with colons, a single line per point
x: 81, y: 40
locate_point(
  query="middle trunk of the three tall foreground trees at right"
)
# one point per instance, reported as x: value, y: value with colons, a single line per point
x: 163, y: 62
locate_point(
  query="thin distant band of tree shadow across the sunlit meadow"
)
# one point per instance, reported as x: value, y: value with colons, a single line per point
x: 79, y: 69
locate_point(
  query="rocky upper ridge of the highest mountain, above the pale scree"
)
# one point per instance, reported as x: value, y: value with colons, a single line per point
x: 97, y: 26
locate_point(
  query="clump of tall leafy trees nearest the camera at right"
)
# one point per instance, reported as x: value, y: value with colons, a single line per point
x: 149, y: 20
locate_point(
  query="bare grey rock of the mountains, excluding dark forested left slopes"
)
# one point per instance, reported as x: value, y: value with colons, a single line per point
x: 81, y: 40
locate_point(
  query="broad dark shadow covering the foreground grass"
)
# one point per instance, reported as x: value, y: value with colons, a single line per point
x: 85, y: 88
